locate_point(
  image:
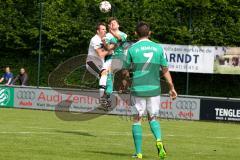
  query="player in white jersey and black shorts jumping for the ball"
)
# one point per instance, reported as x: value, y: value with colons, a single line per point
x: 96, y: 56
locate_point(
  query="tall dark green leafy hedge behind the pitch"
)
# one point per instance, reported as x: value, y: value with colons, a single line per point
x: 68, y: 26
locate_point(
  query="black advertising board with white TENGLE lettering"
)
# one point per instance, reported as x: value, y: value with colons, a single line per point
x: 223, y: 110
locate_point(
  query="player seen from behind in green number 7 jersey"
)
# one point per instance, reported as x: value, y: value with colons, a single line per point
x: 147, y: 58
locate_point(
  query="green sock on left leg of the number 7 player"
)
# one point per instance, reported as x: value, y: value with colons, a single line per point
x: 137, y: 137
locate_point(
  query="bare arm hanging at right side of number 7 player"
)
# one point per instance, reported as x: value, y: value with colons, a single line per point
x: 167, y: 76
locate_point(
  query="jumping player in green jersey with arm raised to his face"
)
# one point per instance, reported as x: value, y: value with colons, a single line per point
x: 113, y: 41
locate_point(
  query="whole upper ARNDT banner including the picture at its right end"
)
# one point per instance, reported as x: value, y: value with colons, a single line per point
x: 203, y: 59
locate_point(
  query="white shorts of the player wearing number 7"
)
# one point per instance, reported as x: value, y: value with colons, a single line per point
x: 143, y: 104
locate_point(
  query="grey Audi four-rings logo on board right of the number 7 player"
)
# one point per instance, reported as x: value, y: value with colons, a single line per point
x: 186, y: 105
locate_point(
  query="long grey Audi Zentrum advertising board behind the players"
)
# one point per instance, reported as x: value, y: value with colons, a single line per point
x: 83, y: 101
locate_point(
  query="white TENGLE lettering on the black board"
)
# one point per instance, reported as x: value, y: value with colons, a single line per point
x: 227, y: 113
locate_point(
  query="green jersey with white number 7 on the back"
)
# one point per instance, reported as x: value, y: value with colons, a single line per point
x: 147, y: 57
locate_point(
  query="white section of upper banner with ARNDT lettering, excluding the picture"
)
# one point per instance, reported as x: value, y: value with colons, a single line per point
x: 187, y: 58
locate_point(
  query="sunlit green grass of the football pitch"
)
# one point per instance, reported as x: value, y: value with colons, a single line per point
x: 40, y: 135
